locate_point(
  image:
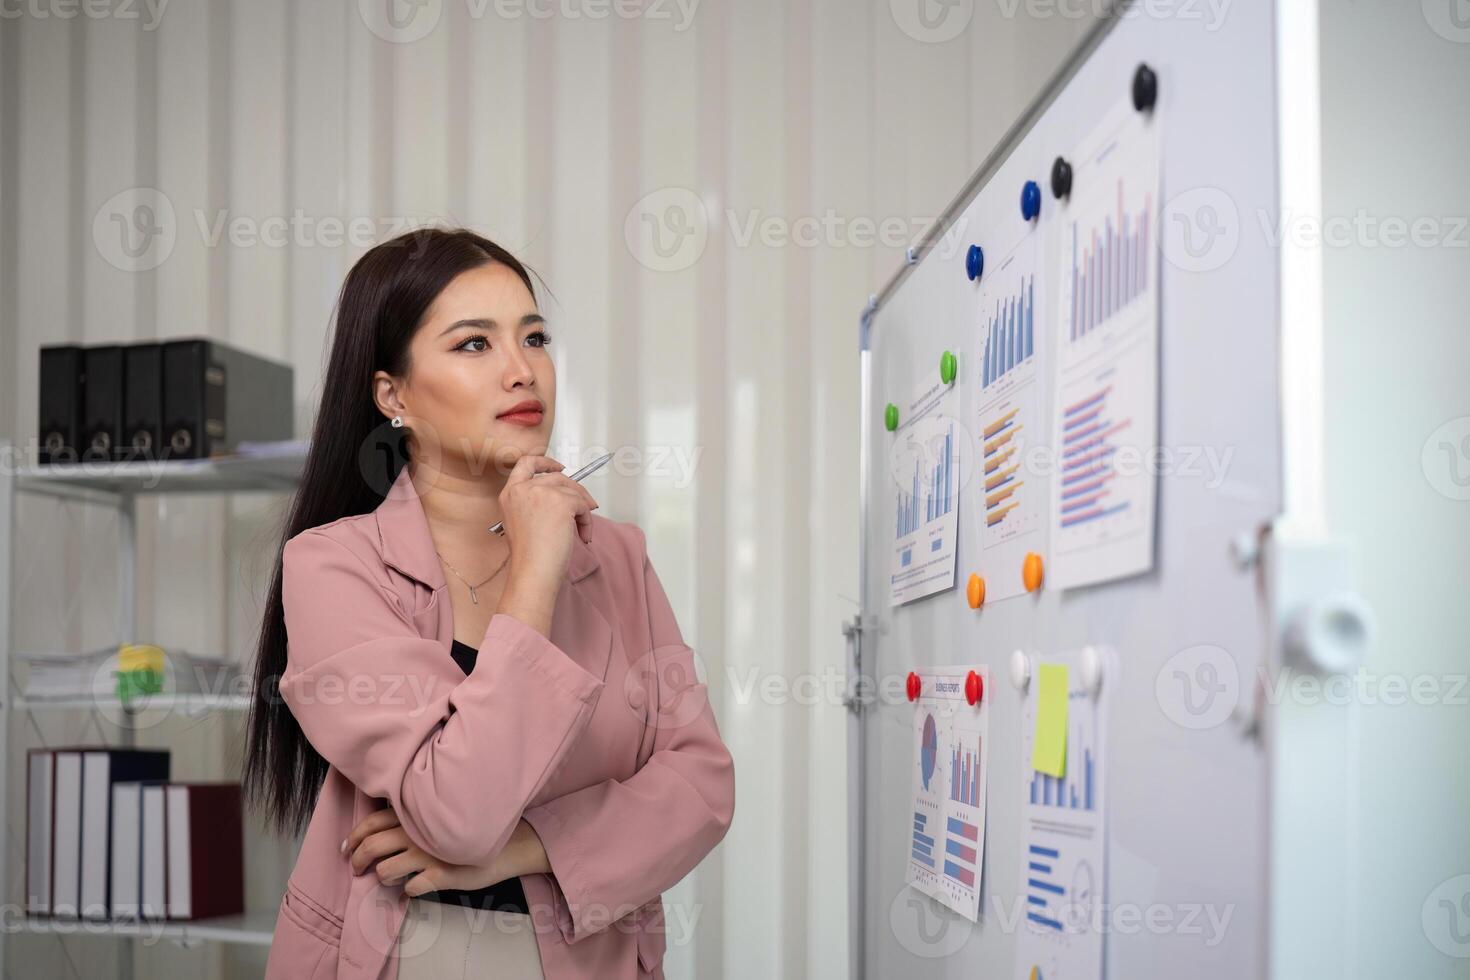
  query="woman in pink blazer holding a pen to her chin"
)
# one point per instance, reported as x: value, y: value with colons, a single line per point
x: 498, y: 744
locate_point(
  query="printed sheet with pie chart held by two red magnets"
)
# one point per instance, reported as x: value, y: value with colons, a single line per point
x: 950, y: 768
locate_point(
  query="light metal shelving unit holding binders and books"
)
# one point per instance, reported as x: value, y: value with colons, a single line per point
x: 118, y: 486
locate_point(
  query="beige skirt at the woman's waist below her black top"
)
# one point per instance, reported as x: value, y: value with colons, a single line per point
x: 443, y: 941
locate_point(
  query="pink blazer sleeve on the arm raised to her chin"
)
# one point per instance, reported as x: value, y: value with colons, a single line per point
x: 456, y: 756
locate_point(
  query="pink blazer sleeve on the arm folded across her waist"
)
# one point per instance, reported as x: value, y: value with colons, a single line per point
x: 621, y: 844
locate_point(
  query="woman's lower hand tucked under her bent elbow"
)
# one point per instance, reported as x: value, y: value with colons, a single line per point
x: 381, y: 838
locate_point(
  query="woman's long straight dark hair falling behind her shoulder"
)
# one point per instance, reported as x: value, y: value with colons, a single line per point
x: 354, y: 459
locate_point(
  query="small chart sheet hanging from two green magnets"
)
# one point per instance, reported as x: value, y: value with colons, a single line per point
x: 928, y: 462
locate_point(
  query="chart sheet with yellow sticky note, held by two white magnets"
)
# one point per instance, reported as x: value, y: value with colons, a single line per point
x: 1064, y: 844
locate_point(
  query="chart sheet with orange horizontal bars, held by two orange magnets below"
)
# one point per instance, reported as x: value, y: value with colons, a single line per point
x: 1009, y: 503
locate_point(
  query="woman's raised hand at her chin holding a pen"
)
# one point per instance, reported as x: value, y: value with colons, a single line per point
x: 540, y: 509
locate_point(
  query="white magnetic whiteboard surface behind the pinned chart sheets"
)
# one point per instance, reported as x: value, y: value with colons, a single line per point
x: 1187, y: 807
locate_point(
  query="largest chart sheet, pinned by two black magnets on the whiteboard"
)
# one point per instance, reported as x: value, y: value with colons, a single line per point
x: 1106, y: 394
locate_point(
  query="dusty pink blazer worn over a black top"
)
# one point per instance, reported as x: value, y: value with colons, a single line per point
x: 600, y: 737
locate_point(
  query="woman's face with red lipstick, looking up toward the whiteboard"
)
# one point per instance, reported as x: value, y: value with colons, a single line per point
x: 481, y: 389
